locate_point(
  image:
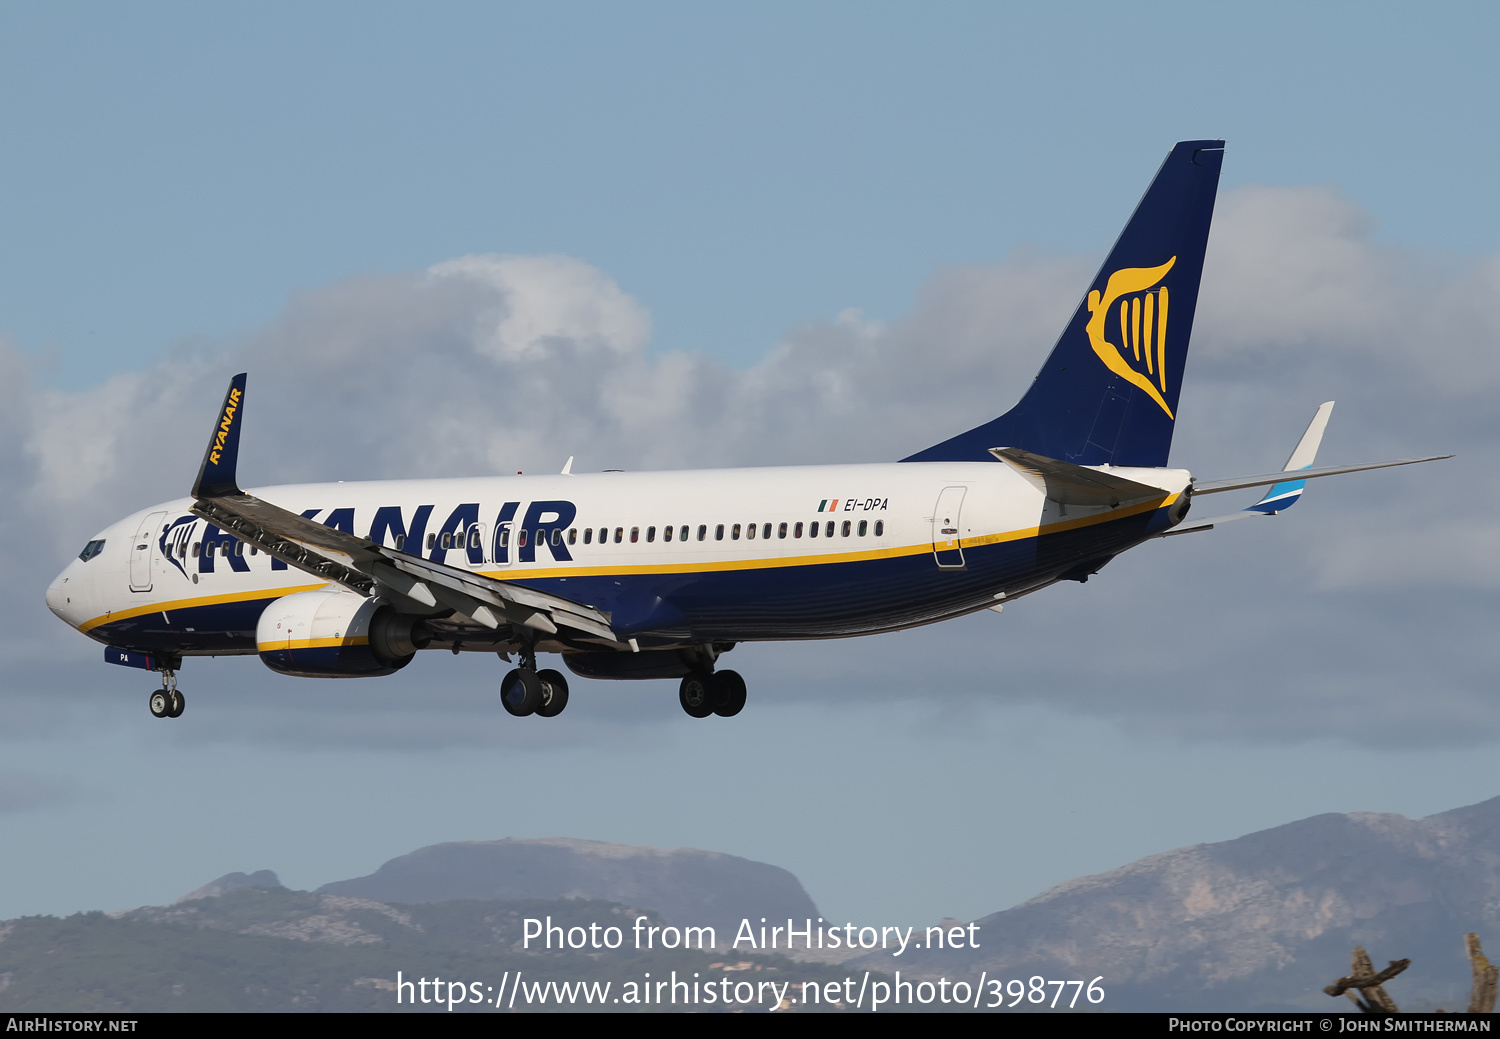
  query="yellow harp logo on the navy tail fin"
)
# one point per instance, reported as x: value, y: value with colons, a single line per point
x: 1142, y: 319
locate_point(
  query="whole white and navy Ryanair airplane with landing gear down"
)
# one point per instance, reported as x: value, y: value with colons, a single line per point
x: 659, y: 575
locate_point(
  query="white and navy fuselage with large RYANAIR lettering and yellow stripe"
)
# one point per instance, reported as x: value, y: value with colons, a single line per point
x: 677, y: 558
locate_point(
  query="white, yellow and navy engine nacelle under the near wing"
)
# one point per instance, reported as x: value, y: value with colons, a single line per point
x: 332, y: 633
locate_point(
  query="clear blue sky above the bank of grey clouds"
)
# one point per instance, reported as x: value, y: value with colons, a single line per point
x: 178, y: 170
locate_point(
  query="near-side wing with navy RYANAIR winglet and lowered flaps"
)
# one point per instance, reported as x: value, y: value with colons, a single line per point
x: 365, y: 567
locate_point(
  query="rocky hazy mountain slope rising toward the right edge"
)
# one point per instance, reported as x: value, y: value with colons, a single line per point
x: 1265, y: 920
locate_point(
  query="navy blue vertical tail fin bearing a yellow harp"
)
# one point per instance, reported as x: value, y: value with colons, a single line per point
x: 1108, y: 394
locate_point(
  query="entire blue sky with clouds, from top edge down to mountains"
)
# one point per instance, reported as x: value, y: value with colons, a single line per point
x: 793, y: 196
